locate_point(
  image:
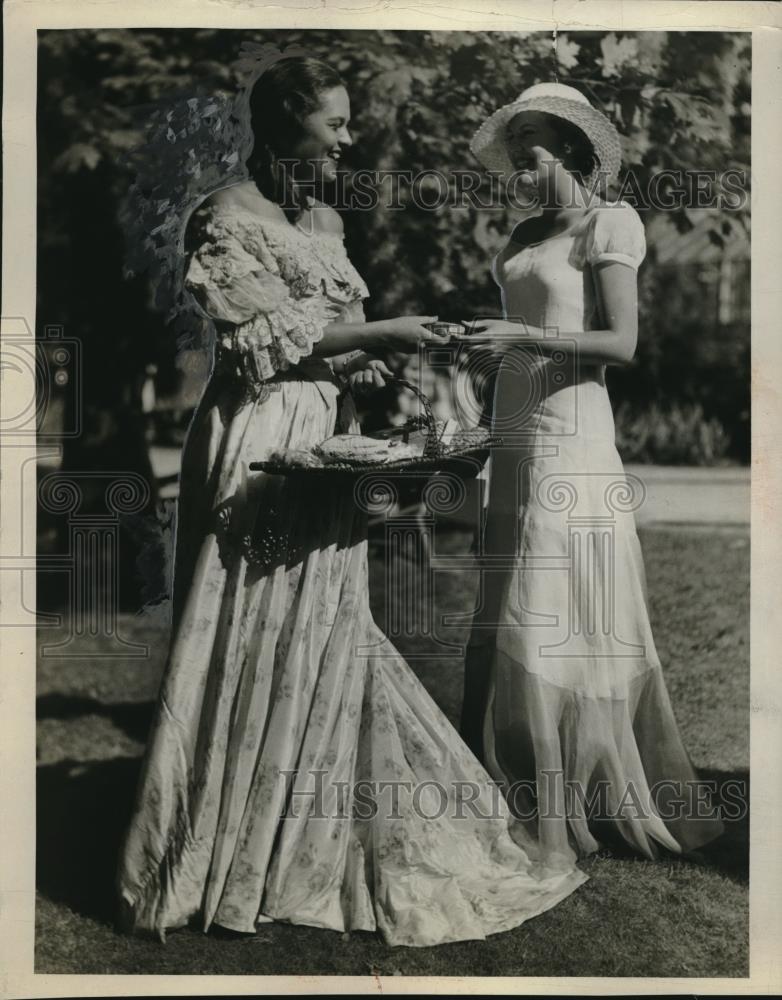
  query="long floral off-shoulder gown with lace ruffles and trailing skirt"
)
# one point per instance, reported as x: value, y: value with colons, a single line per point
x: 279, y: 685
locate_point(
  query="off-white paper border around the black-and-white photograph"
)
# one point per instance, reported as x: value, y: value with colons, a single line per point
x: 17, y: 646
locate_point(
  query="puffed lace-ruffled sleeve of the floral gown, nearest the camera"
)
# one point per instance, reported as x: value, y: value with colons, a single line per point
x: 258, y: 317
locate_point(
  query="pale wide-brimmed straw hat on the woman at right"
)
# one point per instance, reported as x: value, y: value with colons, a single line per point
x: 488, y: 143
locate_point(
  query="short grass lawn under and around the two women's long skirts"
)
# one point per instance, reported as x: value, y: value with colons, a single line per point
x: 632, y: 918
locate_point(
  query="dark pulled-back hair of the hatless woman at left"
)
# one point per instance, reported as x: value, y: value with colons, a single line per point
x: 281, y: 98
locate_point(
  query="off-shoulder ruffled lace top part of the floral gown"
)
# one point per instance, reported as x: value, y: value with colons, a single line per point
x: 270, y: 289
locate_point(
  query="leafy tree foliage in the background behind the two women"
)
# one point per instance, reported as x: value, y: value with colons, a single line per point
x: 136, y: 124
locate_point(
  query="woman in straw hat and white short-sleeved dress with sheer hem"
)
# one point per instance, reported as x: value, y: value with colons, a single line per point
x: 565, y: 700
